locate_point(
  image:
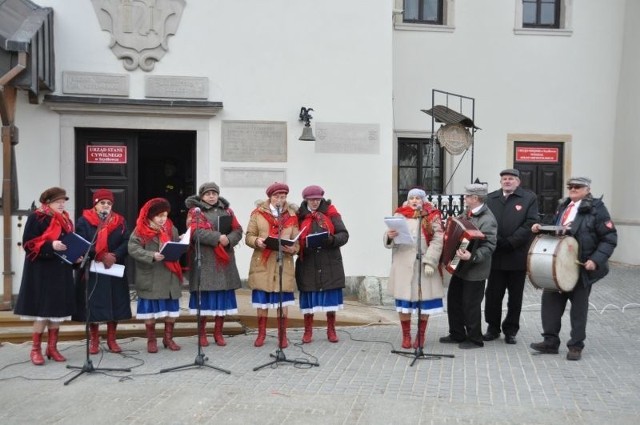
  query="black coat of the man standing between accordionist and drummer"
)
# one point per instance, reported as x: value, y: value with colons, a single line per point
x: 515, y: 216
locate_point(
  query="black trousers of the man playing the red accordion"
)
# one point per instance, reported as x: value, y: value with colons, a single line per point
x: 464, y: 310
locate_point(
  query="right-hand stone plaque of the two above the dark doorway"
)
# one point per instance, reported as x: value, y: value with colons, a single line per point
x: 176, y: 87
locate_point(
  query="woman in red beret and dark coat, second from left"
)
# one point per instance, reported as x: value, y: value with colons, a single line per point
x: 109, y: 299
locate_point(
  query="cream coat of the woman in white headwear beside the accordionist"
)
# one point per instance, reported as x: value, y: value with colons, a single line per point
x: 403, y: 280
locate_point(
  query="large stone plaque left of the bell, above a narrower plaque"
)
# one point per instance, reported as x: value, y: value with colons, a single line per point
x: 254, y: 141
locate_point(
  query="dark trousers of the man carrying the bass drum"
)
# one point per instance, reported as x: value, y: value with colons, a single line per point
x: 553, y: 306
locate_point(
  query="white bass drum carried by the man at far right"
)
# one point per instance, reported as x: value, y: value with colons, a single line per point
x: 552, y: 263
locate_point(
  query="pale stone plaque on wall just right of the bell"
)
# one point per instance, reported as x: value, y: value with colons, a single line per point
x: 347, y: 138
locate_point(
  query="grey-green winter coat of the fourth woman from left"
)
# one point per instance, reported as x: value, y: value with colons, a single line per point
x: 213, y: 276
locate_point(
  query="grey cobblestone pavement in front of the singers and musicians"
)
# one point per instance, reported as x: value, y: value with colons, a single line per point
x: 358, y: 380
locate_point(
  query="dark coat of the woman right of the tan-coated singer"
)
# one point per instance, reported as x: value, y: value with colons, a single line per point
x: 321, y: 268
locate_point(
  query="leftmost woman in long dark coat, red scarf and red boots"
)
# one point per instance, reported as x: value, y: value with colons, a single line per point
x: 47, y: 294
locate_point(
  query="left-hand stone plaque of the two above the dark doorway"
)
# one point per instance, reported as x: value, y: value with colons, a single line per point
x: 95, y: 83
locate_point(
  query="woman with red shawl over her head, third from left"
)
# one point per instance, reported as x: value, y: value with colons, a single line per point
x: 157, y: 281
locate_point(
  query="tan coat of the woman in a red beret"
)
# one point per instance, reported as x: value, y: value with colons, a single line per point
x: 264, y: 276
